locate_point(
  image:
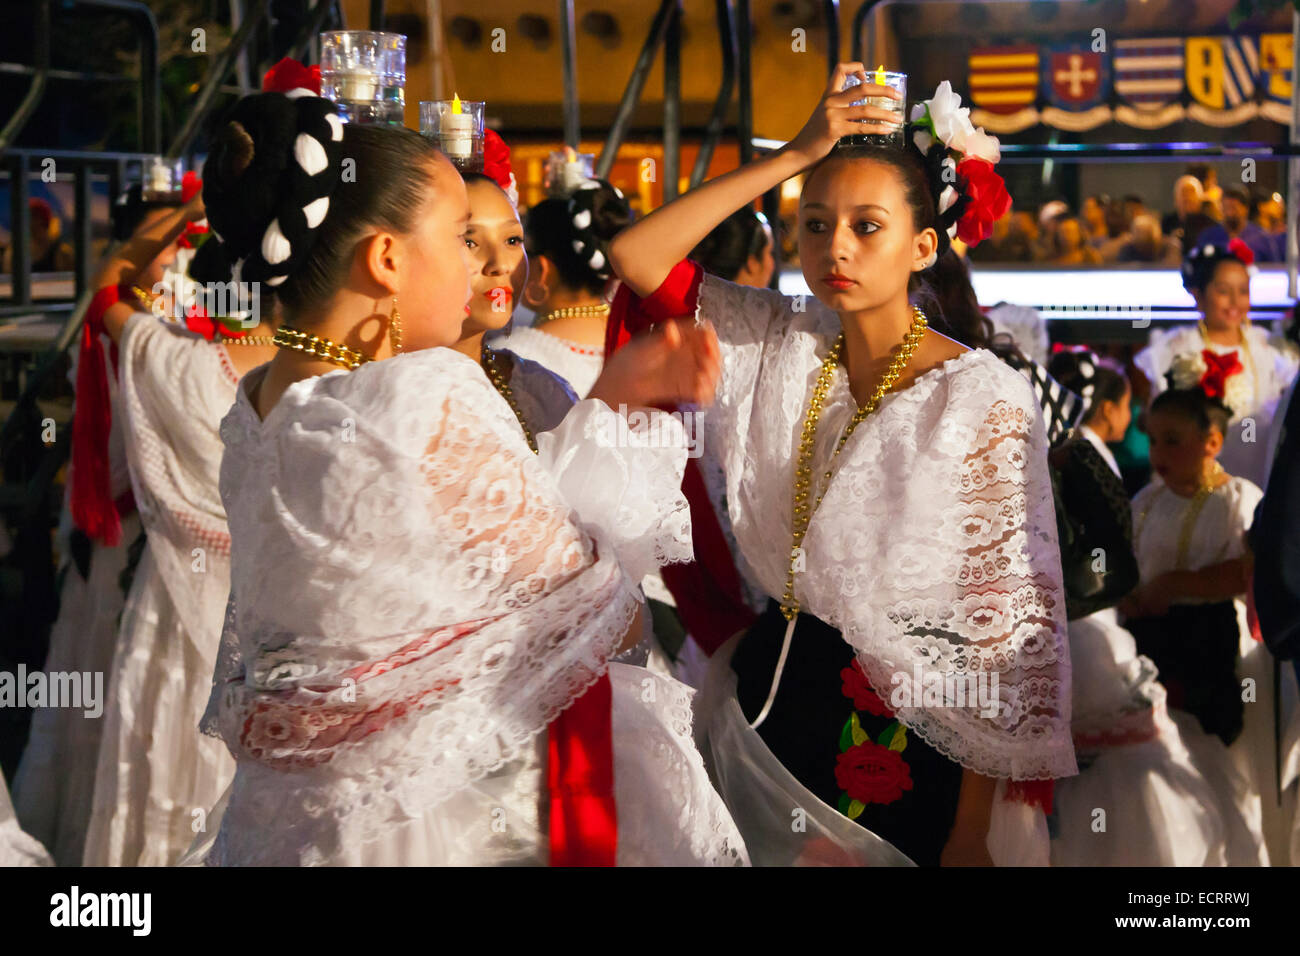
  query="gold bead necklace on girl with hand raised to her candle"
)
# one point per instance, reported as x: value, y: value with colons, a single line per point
x: 803, y: 514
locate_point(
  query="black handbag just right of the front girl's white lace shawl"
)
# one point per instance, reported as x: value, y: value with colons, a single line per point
x: 1095, y: 529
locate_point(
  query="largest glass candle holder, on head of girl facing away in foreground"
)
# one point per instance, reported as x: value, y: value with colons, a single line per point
x: 363, y: 73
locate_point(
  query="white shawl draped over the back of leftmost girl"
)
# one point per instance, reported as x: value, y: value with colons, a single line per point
x: 176, y: 387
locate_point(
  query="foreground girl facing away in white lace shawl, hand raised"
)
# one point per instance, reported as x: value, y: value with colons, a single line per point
x: 413, y: 602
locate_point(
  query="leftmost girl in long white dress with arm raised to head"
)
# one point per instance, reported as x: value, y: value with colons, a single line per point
x: 157, y: 775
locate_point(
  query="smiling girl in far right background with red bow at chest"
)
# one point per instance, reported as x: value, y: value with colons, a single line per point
x: 1258, y: 373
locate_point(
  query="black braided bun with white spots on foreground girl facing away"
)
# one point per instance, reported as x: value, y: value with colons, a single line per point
x: 267, y: 187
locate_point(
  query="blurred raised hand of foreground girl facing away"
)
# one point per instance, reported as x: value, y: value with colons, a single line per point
x: 678, y: 362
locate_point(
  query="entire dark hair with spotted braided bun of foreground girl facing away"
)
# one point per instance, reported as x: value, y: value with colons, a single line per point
x: 289, y: 191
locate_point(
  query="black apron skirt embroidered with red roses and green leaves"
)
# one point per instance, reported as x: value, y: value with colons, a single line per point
x: 842, y: 741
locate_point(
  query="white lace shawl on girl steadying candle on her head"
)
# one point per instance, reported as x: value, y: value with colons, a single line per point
x: 937, y: 542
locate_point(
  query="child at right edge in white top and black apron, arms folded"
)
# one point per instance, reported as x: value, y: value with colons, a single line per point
x: 1189, y: 615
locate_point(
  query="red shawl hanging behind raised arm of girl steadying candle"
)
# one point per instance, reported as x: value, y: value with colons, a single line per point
x: 708, y: 590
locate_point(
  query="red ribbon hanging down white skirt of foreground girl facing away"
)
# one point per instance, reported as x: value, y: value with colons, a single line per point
x: 584, y: 821
